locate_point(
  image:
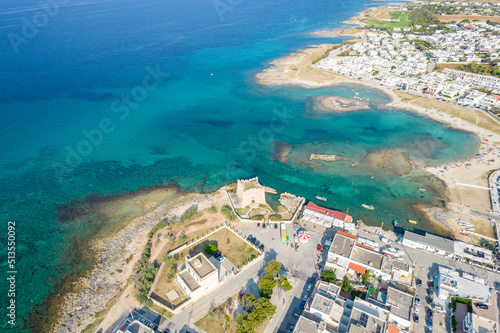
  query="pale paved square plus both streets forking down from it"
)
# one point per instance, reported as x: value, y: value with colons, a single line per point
x: 301, y: 266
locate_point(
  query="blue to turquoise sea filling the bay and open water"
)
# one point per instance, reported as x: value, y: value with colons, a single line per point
x: 106, y: 97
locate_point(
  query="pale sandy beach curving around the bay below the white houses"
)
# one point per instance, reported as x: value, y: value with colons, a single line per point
x: 464, y: 178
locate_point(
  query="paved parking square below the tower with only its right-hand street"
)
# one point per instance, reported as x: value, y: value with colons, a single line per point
x: 302, y: 265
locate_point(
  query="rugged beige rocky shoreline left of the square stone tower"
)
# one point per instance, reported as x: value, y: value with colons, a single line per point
x: 115, y: 260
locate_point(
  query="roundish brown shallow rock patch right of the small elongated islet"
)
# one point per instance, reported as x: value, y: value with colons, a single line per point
x: 392, y: 160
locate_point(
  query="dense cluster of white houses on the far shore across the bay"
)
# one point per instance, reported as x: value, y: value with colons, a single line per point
x: 425, y: 62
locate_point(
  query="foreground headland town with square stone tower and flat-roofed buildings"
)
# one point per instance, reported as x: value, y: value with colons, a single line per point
x: 298, y: 266
